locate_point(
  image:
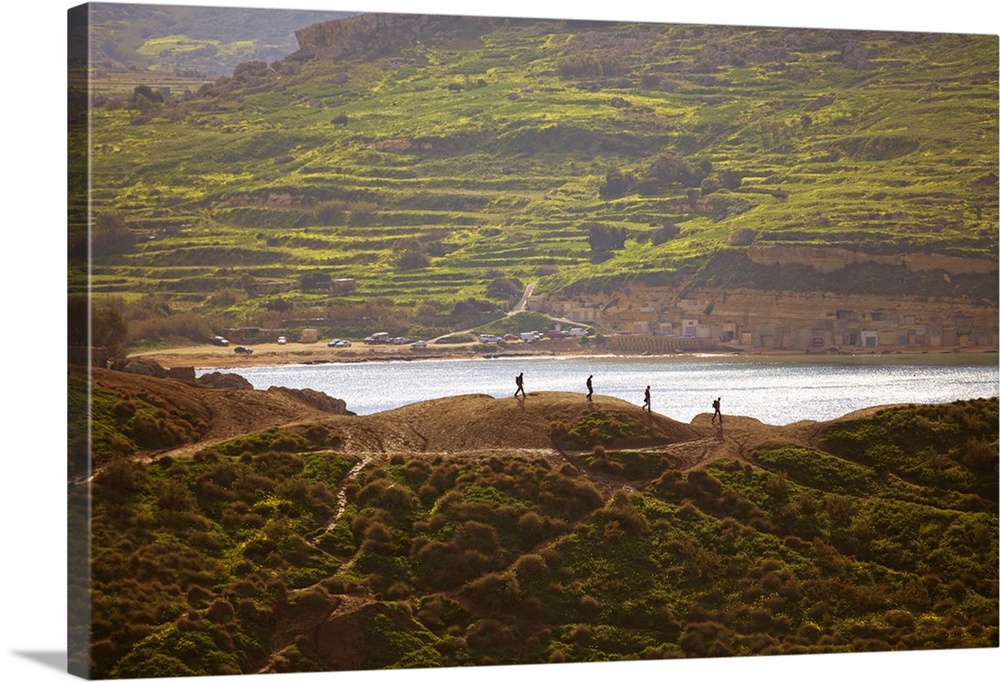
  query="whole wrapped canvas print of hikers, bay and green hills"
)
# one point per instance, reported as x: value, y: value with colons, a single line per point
x: 430, y: 341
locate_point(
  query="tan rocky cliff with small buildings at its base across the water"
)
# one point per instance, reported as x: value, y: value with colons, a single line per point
x: 780, y: 319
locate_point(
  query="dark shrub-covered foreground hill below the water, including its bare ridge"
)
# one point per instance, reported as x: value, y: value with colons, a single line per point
x: 474, y: 530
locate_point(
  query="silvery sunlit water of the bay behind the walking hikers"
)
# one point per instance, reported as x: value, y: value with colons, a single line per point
x: 775, y: 391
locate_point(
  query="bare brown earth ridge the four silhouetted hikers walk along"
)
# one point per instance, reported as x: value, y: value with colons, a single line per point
x: 194, y: 416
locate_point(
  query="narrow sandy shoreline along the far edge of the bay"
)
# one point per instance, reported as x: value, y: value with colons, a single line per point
x: 207, y: 357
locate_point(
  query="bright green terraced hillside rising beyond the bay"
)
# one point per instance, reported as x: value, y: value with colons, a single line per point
x: 444, y: 163
